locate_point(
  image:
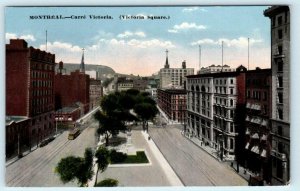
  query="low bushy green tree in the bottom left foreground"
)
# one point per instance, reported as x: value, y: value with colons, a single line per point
x: 71, y: 168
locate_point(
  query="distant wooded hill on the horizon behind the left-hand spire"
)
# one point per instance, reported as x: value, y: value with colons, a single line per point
x: 104, y: 71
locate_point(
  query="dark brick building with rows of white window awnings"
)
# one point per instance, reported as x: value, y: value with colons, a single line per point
x: 258, y: 112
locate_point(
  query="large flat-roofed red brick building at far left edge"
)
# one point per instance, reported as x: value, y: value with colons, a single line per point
x: 30, y: 88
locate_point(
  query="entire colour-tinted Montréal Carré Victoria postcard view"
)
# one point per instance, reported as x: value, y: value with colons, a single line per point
x: 147, y: 96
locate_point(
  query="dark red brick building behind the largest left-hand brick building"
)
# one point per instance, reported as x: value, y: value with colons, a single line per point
x: 72, y: 88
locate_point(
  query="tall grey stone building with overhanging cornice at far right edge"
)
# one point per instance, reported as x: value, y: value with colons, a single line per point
x: 280, y: 118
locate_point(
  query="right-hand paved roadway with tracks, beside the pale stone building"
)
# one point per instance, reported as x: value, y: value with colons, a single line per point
x: 193, y: 165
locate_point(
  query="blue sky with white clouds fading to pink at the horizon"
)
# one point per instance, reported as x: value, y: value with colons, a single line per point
x: 138, y: 46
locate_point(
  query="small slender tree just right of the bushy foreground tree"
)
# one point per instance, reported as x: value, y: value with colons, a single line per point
x: 102, y: 155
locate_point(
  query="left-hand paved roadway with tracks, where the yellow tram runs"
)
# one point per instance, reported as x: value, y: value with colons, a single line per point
x: 37, y: 168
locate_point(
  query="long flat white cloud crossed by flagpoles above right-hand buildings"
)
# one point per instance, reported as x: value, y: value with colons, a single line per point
x: 239, y: 42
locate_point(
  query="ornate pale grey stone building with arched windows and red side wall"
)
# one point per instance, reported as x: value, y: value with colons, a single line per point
x: 213, y: 104
